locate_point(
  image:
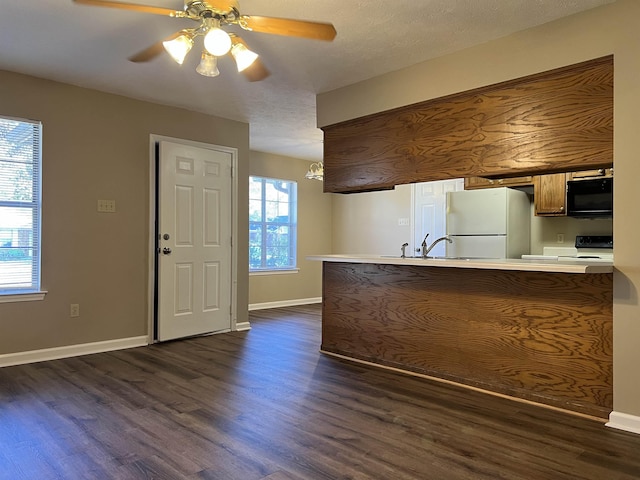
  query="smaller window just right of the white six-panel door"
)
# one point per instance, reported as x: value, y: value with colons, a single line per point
x: 272, y: 224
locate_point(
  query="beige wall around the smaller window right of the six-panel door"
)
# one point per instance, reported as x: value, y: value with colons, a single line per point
x: 314, y: 233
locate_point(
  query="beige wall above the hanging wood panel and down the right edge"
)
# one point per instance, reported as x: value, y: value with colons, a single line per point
x: 611, y: 29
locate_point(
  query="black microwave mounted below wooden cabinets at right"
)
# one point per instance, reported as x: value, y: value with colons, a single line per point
x: 591, y: 198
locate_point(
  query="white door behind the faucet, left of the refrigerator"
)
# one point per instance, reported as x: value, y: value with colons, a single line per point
x: 430, y: 211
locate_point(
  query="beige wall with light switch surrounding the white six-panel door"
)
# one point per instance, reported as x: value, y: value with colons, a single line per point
x: 96, y: 146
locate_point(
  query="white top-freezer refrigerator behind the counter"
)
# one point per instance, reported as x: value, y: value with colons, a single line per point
x: 488, y: 223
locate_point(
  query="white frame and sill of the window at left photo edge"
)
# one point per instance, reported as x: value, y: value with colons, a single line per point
x: 33, y: 291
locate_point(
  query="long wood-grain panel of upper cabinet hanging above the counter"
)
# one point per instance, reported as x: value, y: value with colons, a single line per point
x: 556, y: 121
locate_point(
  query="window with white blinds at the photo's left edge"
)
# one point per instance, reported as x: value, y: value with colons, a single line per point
x: 20, y: 205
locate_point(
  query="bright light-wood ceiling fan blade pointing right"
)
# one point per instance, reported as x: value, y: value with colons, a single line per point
x: 288, y: 27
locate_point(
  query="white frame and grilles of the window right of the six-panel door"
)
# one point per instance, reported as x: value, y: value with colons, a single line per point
x: 264, y: 224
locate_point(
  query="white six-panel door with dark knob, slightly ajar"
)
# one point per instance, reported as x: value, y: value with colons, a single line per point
x: 195, y: 230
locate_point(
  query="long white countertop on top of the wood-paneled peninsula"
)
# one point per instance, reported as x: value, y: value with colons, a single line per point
x: 554, y: 266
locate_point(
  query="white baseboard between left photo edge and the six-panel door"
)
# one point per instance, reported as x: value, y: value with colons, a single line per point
x: 32, y: 356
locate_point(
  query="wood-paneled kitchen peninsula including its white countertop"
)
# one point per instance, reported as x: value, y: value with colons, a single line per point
x: 539, y: 331
